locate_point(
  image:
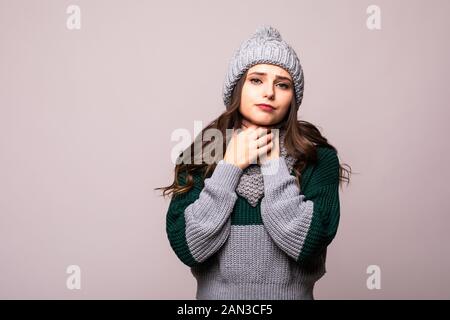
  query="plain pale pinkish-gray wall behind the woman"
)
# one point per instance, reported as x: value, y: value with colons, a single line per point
x: 86, y: 118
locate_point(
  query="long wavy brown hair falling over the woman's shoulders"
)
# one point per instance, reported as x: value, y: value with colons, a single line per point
x: 301, y: 141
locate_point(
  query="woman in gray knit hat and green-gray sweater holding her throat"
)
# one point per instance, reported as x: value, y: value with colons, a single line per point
x: 256, y: 223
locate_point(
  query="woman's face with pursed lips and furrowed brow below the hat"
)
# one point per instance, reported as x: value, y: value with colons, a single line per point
x: 270, y: 85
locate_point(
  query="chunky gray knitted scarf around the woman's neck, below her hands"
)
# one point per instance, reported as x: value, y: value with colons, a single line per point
x: 251, y: 184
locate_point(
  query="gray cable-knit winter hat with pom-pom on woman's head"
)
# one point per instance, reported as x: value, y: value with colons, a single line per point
x: 265, y: 46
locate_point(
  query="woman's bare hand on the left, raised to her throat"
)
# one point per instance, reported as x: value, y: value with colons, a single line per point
x: 247, y: 146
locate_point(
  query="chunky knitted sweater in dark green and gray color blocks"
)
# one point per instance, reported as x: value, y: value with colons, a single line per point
x: 275, y: 250
